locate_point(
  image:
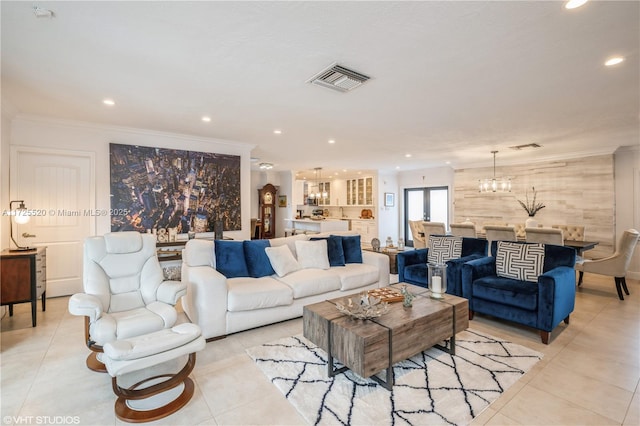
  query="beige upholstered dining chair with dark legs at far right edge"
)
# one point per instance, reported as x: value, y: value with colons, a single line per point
x: 615, y: 265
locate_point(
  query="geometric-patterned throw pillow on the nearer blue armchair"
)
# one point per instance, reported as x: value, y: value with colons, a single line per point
x: 522, y: 262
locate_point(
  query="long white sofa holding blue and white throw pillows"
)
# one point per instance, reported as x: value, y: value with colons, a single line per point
x: 221, y: 305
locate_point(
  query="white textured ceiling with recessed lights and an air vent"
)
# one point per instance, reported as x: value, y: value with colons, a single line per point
x: 450, y: 81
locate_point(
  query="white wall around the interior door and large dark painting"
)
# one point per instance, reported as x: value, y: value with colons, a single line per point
x: 91, y: 137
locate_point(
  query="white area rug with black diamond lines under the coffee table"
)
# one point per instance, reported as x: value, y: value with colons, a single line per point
x: 431, y: 388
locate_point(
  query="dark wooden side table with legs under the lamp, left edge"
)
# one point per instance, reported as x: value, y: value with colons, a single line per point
x: 24, y: 278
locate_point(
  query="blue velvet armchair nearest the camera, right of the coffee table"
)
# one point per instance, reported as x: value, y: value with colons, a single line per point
x: 540, y: 303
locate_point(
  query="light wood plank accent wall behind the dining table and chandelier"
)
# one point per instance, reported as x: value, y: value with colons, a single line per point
x: 577, y: 192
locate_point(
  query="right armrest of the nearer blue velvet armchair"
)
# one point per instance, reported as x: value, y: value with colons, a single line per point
x: 556, y: 296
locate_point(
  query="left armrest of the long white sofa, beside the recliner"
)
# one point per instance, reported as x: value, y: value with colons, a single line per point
x: 206, y: 300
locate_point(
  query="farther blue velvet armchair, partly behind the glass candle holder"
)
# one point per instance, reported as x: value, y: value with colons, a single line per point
x: 412, y: 265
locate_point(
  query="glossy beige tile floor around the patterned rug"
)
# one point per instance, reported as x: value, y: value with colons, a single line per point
x: 589, y: 374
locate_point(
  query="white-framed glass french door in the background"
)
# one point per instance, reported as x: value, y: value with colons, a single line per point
x: 427, y: 204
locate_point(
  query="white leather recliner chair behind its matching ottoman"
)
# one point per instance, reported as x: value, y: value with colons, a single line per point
x: 125, y: 294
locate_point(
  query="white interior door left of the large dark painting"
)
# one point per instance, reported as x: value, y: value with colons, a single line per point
x: 58, y: 187
